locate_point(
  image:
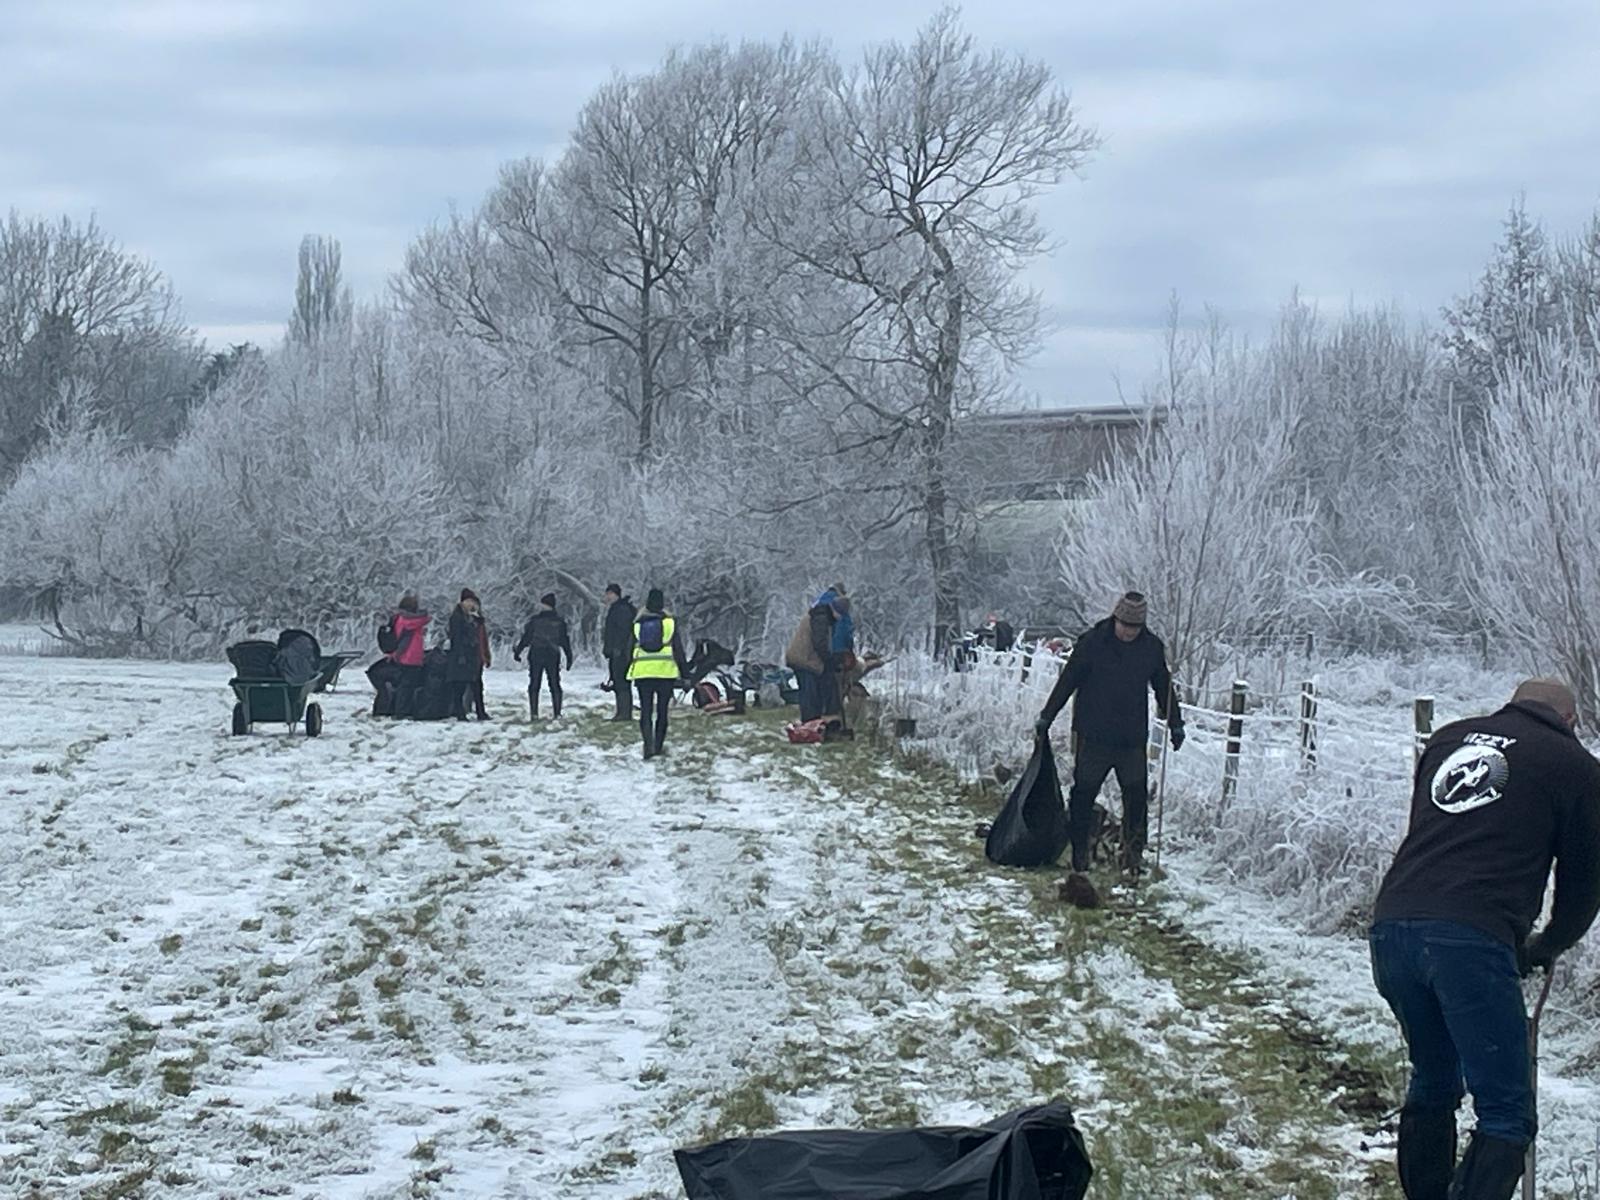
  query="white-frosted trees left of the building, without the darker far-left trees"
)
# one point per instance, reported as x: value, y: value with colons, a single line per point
x: 726, y: 340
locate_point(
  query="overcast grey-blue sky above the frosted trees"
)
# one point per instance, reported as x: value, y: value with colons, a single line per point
x: 1359, y: 151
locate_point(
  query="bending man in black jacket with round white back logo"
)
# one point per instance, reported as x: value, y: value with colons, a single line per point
x: 1495, y: 801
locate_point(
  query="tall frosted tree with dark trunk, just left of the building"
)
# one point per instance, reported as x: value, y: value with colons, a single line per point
x: 910, y: 196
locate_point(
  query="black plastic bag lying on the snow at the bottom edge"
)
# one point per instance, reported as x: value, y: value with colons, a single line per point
x: 1033, y: 1154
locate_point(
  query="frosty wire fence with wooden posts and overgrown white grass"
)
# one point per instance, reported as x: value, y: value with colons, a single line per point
x: 1300, y: 793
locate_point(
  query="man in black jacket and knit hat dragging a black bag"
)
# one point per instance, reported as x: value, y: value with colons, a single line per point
x: 1110, y: 670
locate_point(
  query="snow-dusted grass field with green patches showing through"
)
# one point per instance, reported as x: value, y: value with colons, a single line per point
x: 486, y: 961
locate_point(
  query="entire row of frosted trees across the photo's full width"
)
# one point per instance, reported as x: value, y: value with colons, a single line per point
x: 730, y: 342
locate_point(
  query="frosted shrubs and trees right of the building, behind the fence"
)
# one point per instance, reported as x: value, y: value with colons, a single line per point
x: 1374, y: 479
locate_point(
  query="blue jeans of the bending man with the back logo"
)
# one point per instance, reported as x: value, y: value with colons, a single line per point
x: 1458, y: 998
